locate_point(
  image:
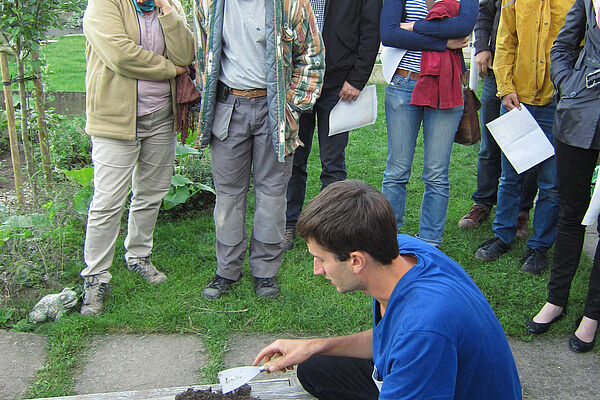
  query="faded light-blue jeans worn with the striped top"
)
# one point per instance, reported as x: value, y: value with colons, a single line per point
x: 439, y: 127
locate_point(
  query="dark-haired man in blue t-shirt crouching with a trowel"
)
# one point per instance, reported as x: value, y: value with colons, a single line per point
x: 434, y: 335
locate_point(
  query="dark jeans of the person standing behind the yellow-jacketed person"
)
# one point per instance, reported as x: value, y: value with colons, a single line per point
x: 489, y: 159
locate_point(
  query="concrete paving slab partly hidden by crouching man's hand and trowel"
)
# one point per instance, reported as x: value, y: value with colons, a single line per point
x: 243, y: 348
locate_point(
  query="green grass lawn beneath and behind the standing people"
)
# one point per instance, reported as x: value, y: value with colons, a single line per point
x: 308, y: 305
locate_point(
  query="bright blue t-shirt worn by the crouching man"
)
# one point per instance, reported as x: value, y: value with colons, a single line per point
x: 439, y: 338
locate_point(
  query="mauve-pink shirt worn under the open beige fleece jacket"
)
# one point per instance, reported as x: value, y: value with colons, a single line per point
x: 152, y: 95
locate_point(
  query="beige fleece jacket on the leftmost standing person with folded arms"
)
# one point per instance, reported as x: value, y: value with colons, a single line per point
x: 116, y: 60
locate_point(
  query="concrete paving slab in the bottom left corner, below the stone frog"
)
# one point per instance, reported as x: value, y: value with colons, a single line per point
x: 21, y: 354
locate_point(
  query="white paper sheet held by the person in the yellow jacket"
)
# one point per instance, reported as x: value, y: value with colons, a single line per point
x: 521, y: 139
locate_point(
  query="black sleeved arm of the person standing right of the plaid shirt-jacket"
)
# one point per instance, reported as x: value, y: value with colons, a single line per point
x: 368, y: 44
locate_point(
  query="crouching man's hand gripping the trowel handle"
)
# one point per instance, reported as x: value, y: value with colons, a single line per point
x: 293, y: 352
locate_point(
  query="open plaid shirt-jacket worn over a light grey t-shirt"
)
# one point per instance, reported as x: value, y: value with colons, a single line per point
x: 295, y: 62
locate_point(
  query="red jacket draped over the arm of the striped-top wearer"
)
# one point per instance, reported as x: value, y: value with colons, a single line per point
x: 439, y: 80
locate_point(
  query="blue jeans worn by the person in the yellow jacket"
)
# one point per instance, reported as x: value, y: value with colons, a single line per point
x: 545, y: 215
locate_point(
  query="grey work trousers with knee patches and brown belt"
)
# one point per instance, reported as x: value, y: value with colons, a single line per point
x: 240, y: 143
